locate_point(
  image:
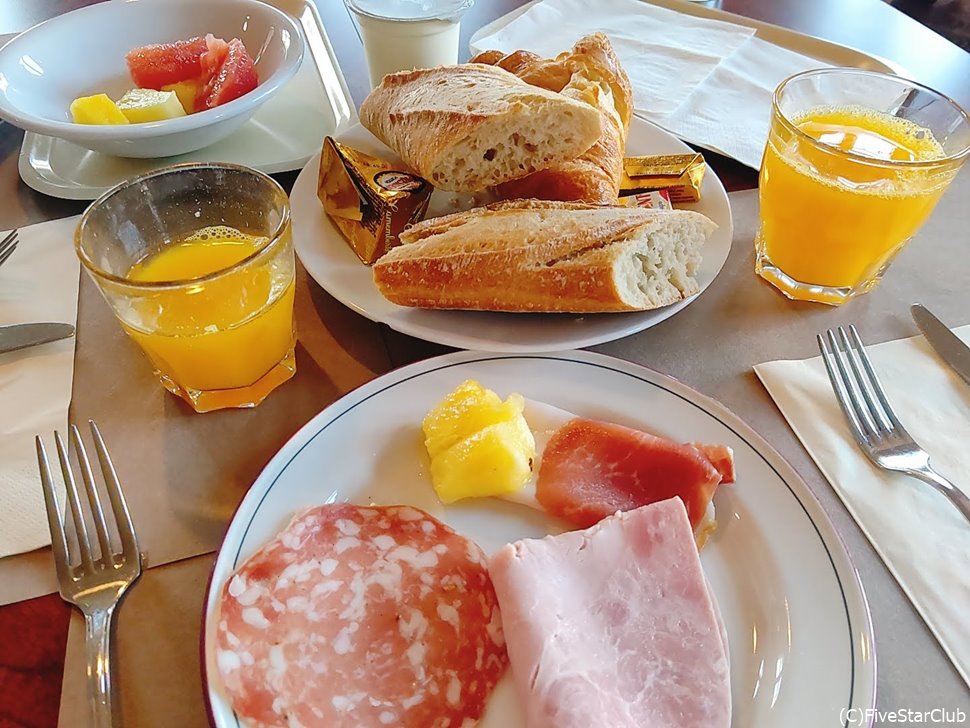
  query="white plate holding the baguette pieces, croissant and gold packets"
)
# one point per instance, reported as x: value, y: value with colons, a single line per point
x: 331, y: 263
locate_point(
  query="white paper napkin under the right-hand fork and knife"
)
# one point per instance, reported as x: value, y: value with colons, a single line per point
x: 923, y: 539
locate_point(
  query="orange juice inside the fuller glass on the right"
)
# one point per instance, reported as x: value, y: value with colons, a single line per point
x: 839, y: 200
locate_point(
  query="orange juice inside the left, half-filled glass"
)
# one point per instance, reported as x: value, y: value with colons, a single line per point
x: 228, y: 332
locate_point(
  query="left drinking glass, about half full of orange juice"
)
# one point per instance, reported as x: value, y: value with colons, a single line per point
x: 196, y: 261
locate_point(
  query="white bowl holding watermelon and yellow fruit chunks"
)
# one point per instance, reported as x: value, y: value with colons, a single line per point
x: 83, y: 52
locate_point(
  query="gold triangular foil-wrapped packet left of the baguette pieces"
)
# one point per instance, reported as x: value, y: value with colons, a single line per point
x: 369, y: 200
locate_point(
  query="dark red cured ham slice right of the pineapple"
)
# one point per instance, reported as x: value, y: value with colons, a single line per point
x: 591, y: 469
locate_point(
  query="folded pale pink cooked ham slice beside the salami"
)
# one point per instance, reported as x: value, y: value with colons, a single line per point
x: 615, y: 625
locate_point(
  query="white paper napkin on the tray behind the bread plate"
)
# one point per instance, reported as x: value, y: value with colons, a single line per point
x: 707, y: 81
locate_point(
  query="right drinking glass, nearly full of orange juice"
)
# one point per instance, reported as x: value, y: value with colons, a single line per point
x: 855, y: 163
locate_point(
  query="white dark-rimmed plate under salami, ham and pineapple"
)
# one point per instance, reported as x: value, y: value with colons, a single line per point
x: 796, y: 615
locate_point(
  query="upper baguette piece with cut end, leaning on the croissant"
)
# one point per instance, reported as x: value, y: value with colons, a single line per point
x: 470, y: 127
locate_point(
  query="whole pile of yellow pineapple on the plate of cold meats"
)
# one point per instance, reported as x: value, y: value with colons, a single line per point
x: 479, y: 445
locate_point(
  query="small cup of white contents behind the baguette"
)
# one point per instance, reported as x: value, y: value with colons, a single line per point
x: 399, y: 35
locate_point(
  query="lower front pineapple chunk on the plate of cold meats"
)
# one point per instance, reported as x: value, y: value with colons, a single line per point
x: 493, y: 461
